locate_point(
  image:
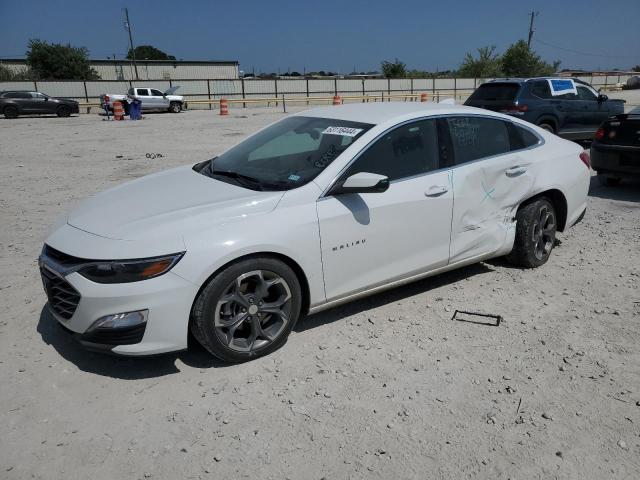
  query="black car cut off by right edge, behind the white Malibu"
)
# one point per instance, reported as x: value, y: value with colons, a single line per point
x: 615, y: 151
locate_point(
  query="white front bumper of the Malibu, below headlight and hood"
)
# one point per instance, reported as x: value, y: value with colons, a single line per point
x: 168, y: 299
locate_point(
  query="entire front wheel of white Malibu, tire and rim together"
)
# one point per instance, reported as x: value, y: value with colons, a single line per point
x: 247, y: 310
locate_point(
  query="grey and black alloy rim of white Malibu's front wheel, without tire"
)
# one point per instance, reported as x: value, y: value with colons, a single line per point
x: 254, y: 309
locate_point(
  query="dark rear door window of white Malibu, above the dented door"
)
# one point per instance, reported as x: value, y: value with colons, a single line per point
x: 473, y: 138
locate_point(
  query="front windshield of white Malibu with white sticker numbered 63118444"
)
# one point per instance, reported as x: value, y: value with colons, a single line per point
x: 285, y: 155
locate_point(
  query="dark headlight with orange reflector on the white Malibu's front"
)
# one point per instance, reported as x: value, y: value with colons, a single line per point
x: 126, y: 271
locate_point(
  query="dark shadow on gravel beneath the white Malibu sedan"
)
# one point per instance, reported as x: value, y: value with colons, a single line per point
x: 131, y: 368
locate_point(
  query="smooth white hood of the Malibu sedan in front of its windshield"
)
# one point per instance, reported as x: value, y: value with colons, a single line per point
x: 168, y: 204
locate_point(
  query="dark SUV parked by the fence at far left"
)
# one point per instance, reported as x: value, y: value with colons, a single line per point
x: 22, y: 102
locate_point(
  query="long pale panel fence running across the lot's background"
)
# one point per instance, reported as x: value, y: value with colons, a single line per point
x: 195, y: 89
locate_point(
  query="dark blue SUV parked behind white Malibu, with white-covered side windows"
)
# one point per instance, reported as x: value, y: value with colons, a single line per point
x: 575, y: 117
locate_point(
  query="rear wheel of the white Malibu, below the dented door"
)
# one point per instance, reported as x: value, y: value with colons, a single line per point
x: 535, y: 234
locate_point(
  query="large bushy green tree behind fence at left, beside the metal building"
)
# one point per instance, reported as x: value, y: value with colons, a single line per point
x: 54, y: 61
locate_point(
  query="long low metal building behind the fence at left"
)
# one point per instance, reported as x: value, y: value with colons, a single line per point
x: 153, y: 69
